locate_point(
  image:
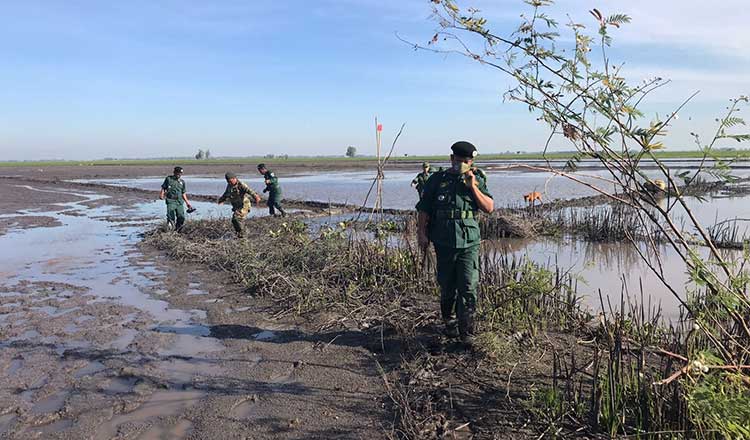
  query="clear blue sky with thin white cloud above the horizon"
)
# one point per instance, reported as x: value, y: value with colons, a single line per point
x: 92, y: 79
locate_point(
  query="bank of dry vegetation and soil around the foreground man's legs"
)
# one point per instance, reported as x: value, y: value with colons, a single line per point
x: 542, y: 365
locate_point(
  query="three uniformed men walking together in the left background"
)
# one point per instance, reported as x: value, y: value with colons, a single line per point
x: 238, y: 193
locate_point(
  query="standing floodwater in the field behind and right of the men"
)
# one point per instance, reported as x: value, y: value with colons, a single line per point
x: 605, y: 267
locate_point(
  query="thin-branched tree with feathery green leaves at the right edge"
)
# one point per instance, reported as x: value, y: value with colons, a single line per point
x: 564, y: 76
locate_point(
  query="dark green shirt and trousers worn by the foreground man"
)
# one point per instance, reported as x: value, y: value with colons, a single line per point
x: 454, y: 231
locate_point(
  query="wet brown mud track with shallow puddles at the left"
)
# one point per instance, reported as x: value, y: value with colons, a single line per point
x: 100, y: 339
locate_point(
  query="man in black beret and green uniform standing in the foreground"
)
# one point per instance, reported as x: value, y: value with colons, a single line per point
x: 448, y: 217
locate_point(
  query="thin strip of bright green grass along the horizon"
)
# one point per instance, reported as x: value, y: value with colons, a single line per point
x: 726, y: 154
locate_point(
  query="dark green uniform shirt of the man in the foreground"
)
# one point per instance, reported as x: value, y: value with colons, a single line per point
x: 452, y: 209
